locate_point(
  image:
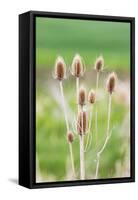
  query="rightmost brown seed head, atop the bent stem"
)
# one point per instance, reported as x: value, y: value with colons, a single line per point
x: 111, y: 82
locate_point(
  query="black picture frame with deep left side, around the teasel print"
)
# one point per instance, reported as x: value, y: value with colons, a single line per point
x: 27, y: 87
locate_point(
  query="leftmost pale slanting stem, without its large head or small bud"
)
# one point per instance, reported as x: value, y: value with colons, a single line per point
x: 67, y: 126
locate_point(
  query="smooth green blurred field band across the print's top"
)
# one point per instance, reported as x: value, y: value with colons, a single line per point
x: 89, y: 38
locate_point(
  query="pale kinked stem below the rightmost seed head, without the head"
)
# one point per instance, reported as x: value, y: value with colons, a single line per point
x: 107, y: 137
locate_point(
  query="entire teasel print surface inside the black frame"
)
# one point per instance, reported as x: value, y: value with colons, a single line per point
x: 82, y: 99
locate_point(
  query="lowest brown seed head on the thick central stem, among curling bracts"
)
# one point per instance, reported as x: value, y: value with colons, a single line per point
x: 82, y: 122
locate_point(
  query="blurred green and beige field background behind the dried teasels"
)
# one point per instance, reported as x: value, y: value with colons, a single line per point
x: 90, y: 39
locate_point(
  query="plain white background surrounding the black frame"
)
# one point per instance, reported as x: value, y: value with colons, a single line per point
x: 9, y: 11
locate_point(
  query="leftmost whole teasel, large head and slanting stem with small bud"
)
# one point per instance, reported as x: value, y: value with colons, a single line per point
x: 60, y: 75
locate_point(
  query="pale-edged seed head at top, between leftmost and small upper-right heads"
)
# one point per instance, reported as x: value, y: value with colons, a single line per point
x: 77, y: 67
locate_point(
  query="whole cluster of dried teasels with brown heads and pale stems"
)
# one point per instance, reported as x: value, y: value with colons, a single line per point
x: 85, y: 104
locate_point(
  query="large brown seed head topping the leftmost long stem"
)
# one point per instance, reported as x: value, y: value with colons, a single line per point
x: 60, y: 68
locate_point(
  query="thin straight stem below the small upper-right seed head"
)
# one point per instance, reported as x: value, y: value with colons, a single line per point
x: 96, y: 109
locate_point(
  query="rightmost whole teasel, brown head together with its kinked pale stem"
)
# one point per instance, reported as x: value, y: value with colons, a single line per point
x: 111, y: 84
